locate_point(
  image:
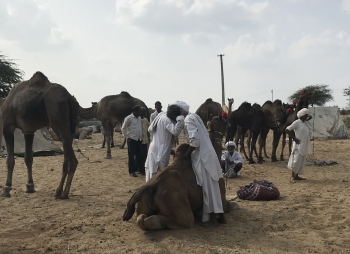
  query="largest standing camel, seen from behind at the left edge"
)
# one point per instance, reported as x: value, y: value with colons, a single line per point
x: 34, y: 104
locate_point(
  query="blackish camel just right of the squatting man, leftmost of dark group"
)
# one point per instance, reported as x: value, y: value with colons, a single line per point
x: 249, y: 118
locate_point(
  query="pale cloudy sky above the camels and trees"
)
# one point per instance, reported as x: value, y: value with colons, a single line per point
x: 167, y: 50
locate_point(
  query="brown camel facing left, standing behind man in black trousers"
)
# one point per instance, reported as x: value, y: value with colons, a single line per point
x: 110, y: 110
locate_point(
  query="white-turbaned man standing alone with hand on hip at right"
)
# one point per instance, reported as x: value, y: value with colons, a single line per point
x: 301, y: 145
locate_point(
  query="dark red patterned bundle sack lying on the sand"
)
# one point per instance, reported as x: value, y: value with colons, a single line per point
x: 258, y: 190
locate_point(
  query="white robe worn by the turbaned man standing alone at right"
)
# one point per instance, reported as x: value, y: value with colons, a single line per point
x: 297, y: 158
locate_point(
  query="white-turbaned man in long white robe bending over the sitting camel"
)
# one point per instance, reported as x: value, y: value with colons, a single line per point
x: 205, y: 164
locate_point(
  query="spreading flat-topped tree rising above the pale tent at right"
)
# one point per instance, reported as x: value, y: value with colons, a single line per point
x: 322, y: 96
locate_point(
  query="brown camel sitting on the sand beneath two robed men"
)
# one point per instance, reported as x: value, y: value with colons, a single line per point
x: 171, y: 199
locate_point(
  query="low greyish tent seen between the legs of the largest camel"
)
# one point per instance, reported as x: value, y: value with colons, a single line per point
x: 43, y: 143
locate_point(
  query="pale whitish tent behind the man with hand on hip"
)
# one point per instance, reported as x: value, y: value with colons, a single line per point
x: 326, y: 122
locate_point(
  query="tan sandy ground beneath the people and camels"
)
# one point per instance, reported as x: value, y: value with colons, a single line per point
x: 311, y: 216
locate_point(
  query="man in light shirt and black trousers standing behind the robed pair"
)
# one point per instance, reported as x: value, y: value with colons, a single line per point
x: 132, y: 131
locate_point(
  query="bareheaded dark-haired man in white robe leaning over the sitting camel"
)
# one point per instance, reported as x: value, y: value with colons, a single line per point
x: 164, y: 128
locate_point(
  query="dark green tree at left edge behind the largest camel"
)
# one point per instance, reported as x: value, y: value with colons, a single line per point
x: 9, y: 75
